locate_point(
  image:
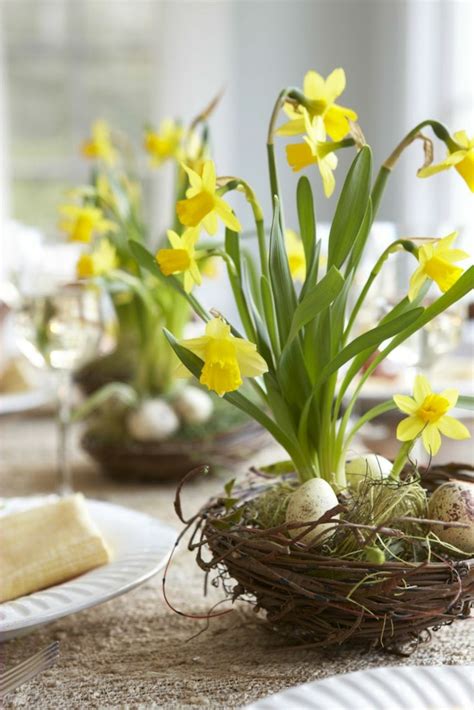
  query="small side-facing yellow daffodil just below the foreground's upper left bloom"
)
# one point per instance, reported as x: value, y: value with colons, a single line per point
x: 181, y: 259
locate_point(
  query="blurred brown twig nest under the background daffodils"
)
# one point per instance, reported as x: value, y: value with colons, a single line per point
x: 135, y: 461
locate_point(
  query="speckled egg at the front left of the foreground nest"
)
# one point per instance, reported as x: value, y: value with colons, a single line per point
x: 307, y: 504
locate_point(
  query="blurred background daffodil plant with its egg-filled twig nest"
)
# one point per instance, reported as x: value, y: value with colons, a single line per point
x: 144, y: 422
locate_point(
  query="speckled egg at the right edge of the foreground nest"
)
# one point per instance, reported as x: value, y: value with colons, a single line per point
x: 453, y: 502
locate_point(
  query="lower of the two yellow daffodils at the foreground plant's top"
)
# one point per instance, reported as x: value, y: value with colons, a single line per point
x: 314, y: 149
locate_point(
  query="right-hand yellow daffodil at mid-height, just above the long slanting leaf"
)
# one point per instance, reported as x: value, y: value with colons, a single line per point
x: 437, y: 263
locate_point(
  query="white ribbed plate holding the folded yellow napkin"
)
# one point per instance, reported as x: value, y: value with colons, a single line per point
x: 141, y: 546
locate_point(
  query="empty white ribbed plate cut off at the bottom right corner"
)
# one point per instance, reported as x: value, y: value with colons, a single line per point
x: 391, y: 688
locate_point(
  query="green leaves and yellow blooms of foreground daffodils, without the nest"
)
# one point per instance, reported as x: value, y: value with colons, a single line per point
x: 298, y: 305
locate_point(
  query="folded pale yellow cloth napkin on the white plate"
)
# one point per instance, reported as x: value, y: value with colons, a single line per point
x: 47, y: 545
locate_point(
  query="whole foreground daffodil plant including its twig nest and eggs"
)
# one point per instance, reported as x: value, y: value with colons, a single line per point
x: 335, y: 548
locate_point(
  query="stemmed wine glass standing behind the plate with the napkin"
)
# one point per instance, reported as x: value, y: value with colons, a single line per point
x: 60, y: 328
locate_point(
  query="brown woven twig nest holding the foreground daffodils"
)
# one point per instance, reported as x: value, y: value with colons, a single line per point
x: 325, y: 601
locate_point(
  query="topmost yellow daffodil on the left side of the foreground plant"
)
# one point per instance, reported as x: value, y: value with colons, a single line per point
x: 203, y: 205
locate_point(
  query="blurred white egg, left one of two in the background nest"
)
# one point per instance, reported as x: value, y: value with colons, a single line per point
x: 154, y: 420
